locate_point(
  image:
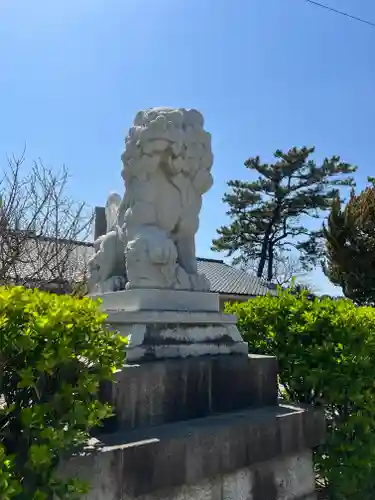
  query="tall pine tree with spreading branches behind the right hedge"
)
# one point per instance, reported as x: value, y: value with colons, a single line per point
x: 266, y: 214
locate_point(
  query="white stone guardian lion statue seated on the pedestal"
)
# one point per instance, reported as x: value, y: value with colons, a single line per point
x: 150, y: 240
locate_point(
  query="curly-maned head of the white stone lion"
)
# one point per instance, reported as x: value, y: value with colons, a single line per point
x: 172, y: 139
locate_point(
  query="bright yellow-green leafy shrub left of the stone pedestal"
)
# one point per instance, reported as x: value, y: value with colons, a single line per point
x: 54, y: 352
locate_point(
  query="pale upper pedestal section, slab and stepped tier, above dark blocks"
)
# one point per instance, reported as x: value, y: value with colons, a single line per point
x: 162, y: 324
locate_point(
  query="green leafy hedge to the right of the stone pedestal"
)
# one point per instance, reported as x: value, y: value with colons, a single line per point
x: 326, y: 353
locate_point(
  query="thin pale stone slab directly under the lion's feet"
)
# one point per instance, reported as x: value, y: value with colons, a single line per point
x: 143, y: 299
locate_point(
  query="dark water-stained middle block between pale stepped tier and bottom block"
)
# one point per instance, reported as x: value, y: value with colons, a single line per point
x: 172, y: 390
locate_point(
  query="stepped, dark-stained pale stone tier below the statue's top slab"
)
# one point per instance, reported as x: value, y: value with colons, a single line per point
x: 161, y: 335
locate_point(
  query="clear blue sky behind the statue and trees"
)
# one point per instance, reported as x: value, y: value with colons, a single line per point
x: 267, y: 74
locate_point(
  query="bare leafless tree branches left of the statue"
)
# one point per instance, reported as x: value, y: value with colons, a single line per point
x: 41, y: 227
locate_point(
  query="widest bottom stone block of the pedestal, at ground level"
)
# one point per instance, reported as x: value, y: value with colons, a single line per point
x: 256, y: 454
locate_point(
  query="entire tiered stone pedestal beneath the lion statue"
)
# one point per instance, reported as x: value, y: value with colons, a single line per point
x: 195, y: 417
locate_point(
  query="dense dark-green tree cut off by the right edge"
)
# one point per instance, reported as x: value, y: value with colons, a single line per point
x: 350, y: 246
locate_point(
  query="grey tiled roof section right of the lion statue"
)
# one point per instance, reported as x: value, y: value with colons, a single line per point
x: 226, y: 279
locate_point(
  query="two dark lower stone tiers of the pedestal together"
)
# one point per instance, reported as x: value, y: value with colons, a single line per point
x: 203, y: 428
